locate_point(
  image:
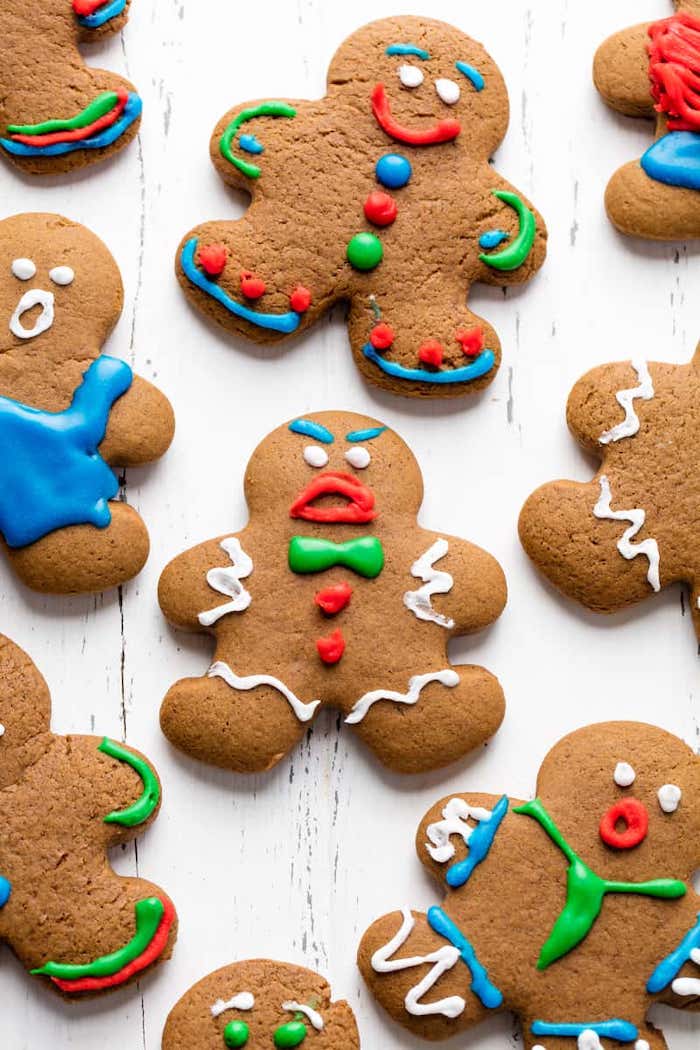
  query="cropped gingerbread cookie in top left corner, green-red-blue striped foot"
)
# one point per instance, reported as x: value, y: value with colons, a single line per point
x: 56, y: 114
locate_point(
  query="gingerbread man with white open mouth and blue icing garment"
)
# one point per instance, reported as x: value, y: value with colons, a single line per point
x: 69, y: 413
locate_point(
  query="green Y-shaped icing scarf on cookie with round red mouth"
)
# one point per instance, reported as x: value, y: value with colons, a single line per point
x: 585, y: 892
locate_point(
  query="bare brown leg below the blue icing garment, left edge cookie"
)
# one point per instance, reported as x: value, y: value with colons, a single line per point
x: 82, y: 559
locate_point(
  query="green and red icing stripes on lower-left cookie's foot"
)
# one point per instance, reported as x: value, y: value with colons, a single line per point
x: 154, y: 917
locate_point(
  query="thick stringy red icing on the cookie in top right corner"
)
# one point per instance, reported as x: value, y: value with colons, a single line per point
x: 674, y: 71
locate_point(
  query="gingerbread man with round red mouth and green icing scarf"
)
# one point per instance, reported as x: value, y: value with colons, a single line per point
x: 576, y: 912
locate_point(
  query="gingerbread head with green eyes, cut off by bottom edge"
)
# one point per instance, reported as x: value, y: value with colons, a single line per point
x: 261, y: 1004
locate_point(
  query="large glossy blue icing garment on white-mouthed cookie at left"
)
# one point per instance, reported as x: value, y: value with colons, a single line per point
x: 52, y: 474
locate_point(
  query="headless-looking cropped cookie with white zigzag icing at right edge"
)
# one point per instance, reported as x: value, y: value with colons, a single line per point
x: 632, y: 531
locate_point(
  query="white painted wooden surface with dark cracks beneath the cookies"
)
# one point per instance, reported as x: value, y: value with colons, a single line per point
x: 298, y: 864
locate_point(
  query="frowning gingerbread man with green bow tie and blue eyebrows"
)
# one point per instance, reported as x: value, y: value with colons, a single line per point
x: 333, y: 595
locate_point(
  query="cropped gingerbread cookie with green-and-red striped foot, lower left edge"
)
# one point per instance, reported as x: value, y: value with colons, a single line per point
x: 65, y: 803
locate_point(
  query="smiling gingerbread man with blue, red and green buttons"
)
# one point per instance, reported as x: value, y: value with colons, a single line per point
x: 380, y: 195
